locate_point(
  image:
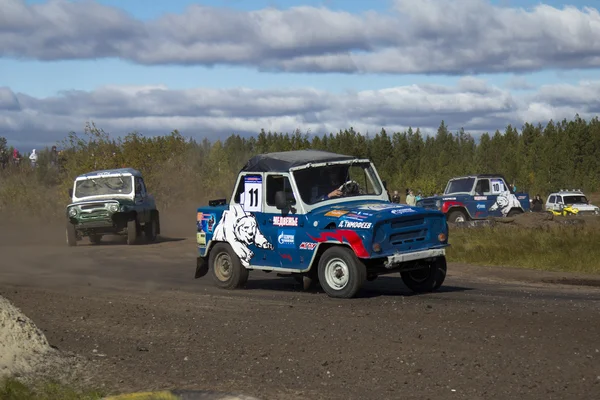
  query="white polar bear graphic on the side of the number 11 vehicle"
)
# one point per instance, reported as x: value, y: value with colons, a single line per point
x: 240, y: 230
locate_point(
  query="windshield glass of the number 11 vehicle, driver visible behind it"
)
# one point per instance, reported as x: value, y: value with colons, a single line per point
x: 318, y: 184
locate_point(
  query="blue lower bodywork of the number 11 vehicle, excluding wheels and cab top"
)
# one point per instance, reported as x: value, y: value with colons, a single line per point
x: 273, y: 240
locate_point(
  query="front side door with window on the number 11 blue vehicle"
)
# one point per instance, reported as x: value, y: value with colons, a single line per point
x: 282, y: 227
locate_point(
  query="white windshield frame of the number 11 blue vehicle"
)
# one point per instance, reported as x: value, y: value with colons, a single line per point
x: 338, y: 200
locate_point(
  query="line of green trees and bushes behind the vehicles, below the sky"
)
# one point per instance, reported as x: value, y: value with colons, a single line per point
x: 537, y: 158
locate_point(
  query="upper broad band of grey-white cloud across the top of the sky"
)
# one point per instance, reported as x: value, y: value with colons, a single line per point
x: 424, y: 36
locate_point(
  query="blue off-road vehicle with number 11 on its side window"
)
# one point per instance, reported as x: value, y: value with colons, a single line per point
x: 319, y: 216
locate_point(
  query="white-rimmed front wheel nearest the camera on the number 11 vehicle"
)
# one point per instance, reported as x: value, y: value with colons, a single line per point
x: 341, y: 273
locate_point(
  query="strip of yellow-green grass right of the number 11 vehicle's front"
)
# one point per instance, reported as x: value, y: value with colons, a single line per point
x: 564, y: 248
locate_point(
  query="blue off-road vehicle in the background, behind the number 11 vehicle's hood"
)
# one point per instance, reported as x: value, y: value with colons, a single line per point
x: 477, y: 197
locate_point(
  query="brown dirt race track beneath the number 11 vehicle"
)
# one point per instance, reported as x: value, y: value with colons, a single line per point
x: 145, y: 323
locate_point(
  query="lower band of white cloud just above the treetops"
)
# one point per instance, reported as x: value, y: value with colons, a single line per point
x: 217, y: 113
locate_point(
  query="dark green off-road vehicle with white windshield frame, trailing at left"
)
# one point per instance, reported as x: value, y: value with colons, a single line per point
x: 111, y: 202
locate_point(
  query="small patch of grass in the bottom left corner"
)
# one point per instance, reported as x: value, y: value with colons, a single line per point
x: 13, y: 389
